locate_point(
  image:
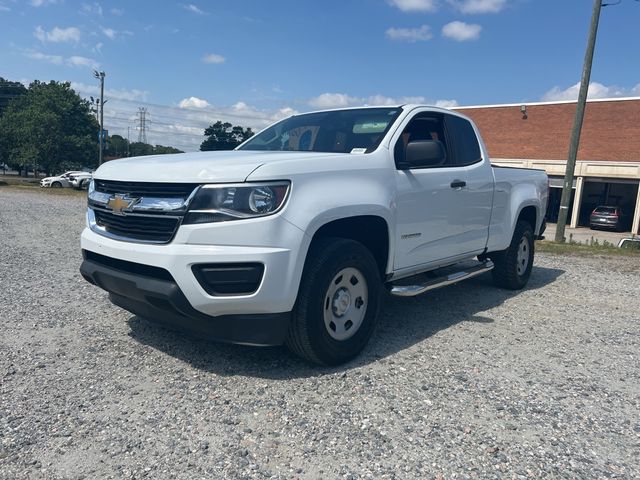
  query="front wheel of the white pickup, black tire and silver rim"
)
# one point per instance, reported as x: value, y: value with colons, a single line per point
x: 309, y: 333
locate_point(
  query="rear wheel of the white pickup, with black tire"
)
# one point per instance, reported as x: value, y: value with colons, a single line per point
x: 512, y: 267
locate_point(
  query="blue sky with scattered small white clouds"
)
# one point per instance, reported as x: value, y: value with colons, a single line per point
x: 253, y: 61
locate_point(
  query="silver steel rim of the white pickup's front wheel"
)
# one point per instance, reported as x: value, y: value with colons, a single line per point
x: 345, y: 304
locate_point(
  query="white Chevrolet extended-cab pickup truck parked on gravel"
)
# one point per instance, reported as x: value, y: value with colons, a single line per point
x: 293, y: 236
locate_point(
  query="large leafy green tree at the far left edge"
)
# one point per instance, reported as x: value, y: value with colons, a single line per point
x: 50, y: 126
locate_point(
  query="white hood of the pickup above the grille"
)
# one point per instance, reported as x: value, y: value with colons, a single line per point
x: 198, y: 167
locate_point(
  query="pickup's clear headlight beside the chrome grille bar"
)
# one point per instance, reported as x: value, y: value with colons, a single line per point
x: 221, y: 203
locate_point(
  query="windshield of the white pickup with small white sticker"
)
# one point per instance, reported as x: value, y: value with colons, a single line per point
x: 341, y: 131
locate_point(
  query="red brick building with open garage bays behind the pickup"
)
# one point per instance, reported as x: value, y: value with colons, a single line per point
x: 536, y: 135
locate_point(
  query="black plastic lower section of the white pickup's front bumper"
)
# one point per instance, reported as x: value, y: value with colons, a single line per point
x: 161, y: 300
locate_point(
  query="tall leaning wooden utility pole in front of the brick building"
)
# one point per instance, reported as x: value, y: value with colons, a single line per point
x: 567, y: 186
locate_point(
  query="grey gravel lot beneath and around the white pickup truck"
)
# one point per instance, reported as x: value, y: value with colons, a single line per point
x: 464, y: 382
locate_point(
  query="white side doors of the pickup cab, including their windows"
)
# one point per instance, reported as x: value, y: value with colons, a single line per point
x: 443, y: 209
